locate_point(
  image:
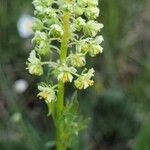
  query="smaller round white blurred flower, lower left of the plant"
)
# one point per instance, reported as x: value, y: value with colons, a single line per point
x: 20, y: 86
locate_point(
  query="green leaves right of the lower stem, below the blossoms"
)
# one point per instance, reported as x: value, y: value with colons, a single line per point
x: 70, y: 122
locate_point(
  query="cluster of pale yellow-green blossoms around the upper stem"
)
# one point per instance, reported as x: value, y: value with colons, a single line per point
x: 62, y: 25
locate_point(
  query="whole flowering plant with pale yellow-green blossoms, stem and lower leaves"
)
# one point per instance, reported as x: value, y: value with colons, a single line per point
x: 65, y: 33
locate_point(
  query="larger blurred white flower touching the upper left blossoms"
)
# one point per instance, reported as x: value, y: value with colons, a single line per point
x: 24, y: 25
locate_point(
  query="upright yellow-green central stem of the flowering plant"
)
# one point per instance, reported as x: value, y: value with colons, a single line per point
x: 60, y: 95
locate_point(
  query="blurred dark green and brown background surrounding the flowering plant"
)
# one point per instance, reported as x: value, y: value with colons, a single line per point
x: 119, y: 102
